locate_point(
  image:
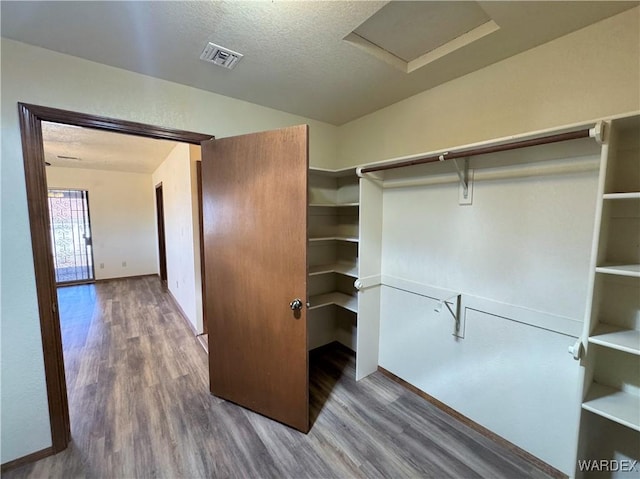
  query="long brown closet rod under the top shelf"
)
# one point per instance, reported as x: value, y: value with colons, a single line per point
x: 573, y: 135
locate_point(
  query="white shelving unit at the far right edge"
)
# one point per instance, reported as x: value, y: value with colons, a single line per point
x: 612, y: 326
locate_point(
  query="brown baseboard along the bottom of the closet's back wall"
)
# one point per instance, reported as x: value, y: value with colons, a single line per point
x: 540, y: 464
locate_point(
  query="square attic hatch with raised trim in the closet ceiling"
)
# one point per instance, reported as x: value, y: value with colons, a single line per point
x: 409, y: 35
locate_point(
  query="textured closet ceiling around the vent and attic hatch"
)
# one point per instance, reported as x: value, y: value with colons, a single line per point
x: 295, y: 55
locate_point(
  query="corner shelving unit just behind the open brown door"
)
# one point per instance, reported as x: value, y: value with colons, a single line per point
x: 333, y: 257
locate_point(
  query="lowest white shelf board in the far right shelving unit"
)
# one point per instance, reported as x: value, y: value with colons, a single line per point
x: 613, y: 404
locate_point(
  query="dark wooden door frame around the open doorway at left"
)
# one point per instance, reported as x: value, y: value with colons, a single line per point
x: 31, y: 118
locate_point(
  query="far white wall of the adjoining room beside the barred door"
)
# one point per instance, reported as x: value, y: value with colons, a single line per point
x: 121, y: 206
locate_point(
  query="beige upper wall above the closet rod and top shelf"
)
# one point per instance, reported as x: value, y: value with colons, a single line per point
x: 591, y: 73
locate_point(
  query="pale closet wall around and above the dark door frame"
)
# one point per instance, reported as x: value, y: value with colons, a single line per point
x: 38, y: 76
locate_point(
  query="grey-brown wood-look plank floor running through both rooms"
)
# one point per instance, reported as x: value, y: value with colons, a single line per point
x: 140, y: 407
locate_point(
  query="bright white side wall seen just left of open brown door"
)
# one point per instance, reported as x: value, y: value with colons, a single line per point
x: 177, y: 173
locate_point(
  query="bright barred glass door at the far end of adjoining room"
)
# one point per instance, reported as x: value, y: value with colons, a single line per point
x: 70, y: 228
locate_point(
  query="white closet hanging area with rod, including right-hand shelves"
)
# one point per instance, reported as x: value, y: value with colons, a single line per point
x: 472, y: 282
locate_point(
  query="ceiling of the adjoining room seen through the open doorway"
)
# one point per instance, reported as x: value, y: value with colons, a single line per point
x: 102, y: 150
